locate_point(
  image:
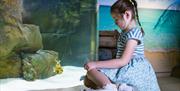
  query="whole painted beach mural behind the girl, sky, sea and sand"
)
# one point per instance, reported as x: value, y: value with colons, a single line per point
x: 160, y: 21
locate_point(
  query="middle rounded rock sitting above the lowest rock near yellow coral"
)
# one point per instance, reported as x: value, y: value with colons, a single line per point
x: 32, y: 40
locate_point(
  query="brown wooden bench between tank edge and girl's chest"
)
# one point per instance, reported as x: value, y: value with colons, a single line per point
x: 107, y: 44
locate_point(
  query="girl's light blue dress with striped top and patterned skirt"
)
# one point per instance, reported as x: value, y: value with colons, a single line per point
x: 138, y: 72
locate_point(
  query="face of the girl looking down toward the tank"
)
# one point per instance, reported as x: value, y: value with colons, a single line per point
x: 122, y: 21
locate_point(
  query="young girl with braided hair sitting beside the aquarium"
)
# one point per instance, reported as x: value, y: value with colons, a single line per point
x: 130, y: 66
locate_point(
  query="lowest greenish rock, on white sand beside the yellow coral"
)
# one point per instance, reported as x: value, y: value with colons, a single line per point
x: 40, y: 65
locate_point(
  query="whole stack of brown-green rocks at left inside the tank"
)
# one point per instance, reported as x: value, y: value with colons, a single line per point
x: 24, y: 40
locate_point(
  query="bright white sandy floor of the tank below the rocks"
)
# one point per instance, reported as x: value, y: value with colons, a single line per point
x: 69, y: 80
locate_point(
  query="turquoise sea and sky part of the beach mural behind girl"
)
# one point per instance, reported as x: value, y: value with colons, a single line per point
x: 161, y: 27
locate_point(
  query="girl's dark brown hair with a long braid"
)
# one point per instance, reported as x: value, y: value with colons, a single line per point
x: 120, y: 6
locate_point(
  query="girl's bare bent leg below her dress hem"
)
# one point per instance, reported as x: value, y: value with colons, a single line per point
x: 98, y: 78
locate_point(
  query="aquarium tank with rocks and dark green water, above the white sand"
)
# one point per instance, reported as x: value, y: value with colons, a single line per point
x: 39, y: 37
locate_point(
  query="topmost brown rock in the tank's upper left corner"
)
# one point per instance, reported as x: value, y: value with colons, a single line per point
x: 11, y: 11
